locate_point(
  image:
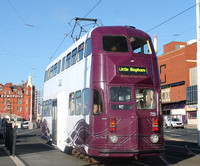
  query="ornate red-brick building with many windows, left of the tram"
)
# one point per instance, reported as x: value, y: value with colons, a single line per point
x: 15, y: 101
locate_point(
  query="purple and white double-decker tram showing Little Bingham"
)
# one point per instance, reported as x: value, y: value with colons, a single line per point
x: 102, y: 95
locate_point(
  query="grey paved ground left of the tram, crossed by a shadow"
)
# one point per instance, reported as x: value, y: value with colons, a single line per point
x: 31, y: 150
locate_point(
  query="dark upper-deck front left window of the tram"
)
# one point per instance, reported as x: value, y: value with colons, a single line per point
x: 115, y: 44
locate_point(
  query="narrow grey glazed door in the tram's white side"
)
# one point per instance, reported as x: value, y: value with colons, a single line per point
x: 54, y: 121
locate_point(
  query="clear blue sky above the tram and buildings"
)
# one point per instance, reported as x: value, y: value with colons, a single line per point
x: 25, y: 50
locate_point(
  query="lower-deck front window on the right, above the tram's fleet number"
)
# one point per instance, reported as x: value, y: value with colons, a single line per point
x: 145, y: 99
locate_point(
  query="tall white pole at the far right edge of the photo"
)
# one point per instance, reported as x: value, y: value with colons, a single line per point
x: 198, y: 67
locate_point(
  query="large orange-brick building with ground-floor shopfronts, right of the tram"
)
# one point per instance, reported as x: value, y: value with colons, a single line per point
x: 178, y: 79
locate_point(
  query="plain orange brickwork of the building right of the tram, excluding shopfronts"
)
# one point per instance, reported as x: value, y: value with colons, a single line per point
x: 173, y: 67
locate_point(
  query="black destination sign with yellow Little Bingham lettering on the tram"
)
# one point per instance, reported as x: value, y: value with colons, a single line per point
x: 132, y: 70
